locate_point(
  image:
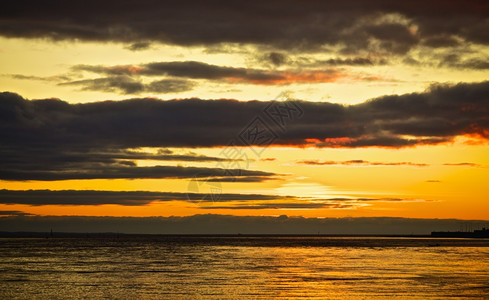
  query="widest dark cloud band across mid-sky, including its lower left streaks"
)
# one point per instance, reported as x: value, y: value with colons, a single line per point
x: 33, y: 133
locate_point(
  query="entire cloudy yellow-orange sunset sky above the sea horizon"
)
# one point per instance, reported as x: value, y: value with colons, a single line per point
x: 307, y: 110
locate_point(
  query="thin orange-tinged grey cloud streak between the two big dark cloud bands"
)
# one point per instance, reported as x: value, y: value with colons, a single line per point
x: 180, y: 76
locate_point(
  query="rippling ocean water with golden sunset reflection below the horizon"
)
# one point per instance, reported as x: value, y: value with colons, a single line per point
x: 184, y: 267
